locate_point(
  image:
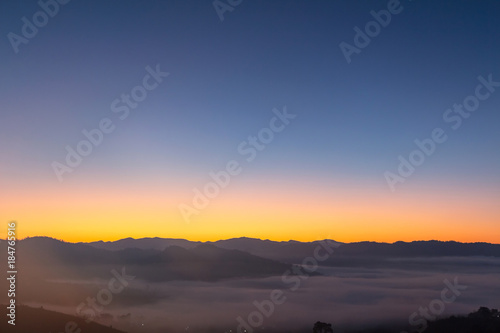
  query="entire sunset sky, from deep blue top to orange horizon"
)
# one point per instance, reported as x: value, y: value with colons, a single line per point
x: 307, y: 136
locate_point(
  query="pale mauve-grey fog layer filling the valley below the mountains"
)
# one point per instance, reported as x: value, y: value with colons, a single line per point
x: 346, y: 297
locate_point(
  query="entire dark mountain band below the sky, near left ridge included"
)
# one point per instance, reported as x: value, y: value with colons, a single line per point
x: 164, y: 259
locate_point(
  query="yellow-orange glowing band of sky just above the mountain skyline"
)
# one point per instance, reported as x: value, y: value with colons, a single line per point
x: 280, y: 212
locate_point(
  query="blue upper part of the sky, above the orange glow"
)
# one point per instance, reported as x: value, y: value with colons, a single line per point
x: 353, y: 120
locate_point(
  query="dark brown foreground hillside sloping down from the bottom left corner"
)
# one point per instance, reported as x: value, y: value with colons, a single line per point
x: 30, y: 319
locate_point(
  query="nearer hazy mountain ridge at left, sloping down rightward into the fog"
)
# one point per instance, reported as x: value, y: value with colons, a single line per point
x: 50, y: 258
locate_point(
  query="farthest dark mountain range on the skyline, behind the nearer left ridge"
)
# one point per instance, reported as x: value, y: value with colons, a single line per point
x: 294, y: 251
